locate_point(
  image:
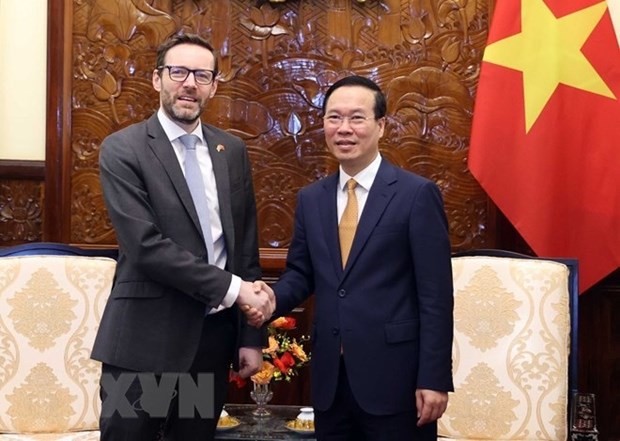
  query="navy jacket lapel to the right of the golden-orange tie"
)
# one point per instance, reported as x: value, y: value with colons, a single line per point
x: 380, y: 195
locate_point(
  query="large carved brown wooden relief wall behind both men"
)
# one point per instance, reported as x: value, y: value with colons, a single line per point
x: 277, y: 60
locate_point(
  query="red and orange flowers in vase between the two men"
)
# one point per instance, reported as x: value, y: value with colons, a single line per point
x: 283, y: 357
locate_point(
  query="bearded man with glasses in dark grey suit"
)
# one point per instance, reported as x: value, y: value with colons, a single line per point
x: 180, y: 196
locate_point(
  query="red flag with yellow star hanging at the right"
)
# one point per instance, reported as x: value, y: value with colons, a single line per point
x: 545, y: 141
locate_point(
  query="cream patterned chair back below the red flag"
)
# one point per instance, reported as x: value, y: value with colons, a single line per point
x: 512, y: 347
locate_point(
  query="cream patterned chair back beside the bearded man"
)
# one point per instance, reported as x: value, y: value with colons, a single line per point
x: 50, y: 306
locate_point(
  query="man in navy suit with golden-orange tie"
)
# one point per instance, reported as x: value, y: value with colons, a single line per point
x: 382, y: 325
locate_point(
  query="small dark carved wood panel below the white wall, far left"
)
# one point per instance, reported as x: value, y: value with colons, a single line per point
x: 20, y: 211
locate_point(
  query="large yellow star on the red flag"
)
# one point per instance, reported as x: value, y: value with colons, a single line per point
x: 548, y: 52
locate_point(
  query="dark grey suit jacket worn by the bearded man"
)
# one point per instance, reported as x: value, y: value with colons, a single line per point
x: 154, y: 318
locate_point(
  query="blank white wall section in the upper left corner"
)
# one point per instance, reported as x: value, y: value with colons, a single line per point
x: 23, y: 76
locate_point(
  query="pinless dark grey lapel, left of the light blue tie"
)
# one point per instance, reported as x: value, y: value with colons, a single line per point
x: 163, y: 150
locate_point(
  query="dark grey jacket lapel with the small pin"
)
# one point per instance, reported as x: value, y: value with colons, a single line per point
x: 222, y: 180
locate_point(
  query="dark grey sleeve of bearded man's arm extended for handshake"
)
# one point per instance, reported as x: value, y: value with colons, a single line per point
x: 152, y: 255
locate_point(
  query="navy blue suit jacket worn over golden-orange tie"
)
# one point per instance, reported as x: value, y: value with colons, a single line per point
x: 390, y: 308
